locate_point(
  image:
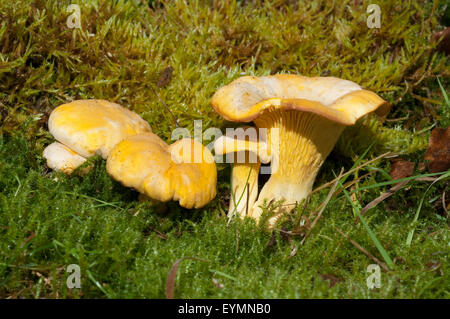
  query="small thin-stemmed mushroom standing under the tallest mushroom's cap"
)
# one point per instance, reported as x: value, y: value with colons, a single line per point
x: 247, y: 155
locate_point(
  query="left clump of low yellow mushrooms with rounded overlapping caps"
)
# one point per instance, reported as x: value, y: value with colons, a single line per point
x: 184, y: 171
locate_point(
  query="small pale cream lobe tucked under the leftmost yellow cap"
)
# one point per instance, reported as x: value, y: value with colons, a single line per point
x: 61, y: 158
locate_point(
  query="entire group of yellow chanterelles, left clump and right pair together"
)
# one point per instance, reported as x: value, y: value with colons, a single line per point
x: 303, y: 118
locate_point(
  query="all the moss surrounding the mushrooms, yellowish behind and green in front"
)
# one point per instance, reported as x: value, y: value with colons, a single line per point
x: 48, y: 220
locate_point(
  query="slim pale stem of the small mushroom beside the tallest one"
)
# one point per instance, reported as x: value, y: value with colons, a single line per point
x: 244, y: 188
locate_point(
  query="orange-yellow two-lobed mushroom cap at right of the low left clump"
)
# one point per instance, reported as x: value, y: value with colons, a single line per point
x: 184, y: 171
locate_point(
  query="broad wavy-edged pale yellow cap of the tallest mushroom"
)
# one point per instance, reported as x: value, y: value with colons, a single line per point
x: 339, y: 100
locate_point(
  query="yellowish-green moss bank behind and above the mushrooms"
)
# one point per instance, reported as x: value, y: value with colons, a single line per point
x: 122, y: 48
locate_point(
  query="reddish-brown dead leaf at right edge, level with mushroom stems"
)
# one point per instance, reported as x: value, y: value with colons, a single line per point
x: 438, y: 152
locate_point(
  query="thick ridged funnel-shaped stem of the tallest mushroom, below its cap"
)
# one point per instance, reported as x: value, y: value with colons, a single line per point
x: 300, y: 142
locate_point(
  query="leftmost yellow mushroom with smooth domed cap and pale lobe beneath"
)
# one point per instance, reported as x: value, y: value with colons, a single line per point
x: 86, y: 128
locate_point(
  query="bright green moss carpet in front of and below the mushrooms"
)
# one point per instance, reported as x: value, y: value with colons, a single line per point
x: 49, y: 221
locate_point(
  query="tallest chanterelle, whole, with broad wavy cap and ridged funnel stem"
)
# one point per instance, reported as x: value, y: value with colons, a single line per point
x: 308, y: 115
